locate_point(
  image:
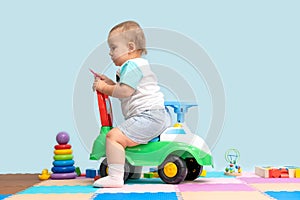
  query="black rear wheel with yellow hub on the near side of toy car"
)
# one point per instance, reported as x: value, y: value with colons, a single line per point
x: 173, y: 170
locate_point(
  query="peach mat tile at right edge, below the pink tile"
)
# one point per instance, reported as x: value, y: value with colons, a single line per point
x: 277, y: 186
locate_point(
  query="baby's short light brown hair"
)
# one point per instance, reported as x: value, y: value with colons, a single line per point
x: 134, y: 33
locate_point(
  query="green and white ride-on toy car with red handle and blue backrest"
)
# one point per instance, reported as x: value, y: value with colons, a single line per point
x: 179, y: 154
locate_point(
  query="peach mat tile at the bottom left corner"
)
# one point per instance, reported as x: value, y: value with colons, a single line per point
x: 50, y: 197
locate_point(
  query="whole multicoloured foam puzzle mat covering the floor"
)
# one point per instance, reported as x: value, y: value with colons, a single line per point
x: 212, y: 185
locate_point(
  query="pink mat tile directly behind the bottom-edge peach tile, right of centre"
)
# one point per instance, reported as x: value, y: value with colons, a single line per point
x: 214, y: 187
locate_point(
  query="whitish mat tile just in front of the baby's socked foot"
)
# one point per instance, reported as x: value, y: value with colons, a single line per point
x: 136, y: 188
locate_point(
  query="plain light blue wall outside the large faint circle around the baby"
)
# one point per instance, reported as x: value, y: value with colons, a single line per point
x: 254, y: 45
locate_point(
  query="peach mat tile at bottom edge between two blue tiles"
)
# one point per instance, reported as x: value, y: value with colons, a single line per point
x: 224, y: 195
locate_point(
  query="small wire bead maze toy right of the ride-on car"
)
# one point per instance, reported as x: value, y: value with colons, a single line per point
x: 232, y: 156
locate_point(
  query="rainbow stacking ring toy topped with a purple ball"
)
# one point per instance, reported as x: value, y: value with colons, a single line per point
x: 63, y: 159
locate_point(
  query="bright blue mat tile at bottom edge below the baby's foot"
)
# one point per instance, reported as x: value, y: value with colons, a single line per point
x: 136, y: 196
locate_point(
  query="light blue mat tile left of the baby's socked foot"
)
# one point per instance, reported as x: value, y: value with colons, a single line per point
x: 84, y: 189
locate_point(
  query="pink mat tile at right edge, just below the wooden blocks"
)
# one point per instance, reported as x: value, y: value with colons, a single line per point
x: 269, y: 180
